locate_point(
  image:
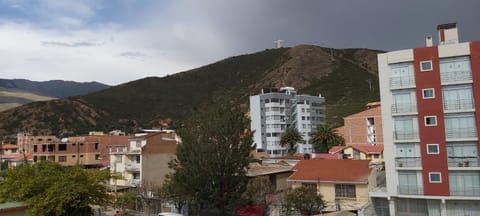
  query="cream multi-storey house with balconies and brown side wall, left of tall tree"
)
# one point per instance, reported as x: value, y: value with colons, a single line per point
x: 144, y: 160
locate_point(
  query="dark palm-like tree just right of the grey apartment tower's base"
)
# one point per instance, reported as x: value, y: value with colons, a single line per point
x: 324, y: 138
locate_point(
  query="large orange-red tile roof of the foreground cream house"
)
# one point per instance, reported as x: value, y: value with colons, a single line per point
x: 352, y: 171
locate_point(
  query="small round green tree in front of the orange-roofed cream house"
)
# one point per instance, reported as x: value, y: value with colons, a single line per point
x: 306, y: 200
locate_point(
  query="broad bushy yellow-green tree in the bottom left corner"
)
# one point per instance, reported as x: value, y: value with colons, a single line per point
x: 48, y: 188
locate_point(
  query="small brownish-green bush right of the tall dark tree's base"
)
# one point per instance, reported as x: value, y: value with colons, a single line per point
x: 259, y: 191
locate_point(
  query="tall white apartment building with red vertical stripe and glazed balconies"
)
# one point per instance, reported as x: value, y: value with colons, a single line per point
x: 430, y: 97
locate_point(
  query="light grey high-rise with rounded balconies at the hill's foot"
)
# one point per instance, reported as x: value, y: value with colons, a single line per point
x: 274, y: 110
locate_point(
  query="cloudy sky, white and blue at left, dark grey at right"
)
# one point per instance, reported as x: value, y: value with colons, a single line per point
x: 117, y: 41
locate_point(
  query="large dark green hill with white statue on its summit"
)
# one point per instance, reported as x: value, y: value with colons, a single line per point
x: 347, y: 78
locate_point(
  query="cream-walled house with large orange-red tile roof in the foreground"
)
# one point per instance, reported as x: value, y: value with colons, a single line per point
x: 344, y: 184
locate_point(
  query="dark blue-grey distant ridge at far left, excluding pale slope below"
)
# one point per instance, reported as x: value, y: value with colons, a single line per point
x: 52, y: 88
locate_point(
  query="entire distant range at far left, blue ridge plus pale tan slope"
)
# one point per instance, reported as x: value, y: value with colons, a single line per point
x: 16, y: 92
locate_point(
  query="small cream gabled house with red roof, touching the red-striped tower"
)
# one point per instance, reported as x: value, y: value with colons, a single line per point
x: 359, y: 151
